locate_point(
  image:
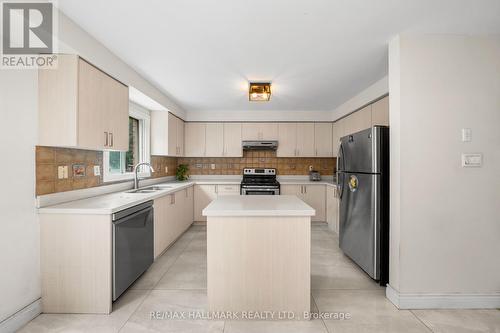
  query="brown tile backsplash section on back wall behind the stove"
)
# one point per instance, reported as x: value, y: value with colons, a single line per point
x: 257, y: 159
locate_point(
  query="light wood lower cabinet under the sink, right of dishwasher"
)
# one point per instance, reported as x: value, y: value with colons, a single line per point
x: 173, y: 214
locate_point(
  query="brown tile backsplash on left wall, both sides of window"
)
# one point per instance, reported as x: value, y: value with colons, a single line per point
x: 48, y: 159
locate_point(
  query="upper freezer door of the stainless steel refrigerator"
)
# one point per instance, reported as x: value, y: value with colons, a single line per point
x: 361, y: 151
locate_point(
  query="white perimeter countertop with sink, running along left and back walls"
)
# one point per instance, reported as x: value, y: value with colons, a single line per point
x: 111, y: 203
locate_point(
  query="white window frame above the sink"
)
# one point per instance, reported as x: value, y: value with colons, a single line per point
x: 144, y: 117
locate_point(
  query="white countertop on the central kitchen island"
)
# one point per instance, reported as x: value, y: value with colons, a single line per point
x: 257, y: 205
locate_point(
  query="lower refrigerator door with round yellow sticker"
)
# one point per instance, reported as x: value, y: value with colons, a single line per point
x: 360, y: 220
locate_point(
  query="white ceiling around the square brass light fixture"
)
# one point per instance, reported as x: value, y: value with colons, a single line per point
x: 317, y: 53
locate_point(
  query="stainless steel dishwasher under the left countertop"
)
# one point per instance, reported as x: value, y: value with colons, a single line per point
x: 133, y: 237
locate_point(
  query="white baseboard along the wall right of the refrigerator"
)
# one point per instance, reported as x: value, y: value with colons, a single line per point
x: 413, y: 301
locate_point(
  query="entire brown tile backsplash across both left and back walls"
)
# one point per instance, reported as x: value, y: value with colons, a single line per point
x: 80, y: 166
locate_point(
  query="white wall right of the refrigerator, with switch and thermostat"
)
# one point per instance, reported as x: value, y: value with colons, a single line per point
x: 445, y: 218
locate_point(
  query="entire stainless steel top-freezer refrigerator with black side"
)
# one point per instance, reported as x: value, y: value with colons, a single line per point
x: 363, y: 185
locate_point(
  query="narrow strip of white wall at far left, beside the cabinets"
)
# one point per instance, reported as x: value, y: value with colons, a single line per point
x: 19, y: 233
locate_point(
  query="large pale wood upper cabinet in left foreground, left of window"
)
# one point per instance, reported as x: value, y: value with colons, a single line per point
x: 82, y: 107
